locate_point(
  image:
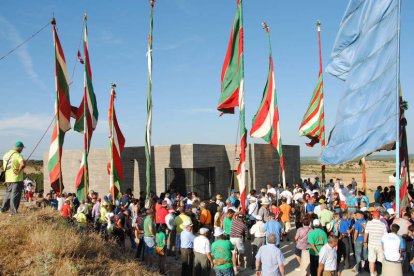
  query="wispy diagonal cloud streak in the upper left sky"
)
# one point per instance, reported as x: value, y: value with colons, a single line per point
x: 9, y: 32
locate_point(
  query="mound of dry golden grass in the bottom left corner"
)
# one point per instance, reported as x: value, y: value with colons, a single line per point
x: 41, y: 243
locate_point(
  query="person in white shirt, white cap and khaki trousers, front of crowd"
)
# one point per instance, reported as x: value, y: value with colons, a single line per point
x: 202, y: 254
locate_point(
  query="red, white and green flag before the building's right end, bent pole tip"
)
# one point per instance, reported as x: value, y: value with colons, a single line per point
x: 266, y: 123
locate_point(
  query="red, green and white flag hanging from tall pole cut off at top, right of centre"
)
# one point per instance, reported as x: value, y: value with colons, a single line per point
x: 232, y: 92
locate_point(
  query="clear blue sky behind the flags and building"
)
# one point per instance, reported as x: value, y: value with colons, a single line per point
x: 190, y: 40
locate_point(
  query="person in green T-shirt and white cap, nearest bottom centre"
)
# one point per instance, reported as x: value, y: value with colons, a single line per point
x: 224, y: 256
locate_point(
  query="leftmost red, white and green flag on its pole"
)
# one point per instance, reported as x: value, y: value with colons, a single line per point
x: 62, y: 115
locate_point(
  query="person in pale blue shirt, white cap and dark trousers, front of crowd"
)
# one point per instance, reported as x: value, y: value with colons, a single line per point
x: 187, y: 244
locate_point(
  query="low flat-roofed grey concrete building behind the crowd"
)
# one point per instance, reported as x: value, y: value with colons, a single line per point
x: 206, y: 169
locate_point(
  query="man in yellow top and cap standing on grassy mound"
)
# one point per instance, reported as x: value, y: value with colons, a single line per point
x: 13, y: 164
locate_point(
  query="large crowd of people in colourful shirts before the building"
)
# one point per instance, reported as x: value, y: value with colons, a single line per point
x: 333, y: 227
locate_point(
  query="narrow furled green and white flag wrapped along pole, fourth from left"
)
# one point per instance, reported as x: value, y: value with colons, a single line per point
x: 149, y: 108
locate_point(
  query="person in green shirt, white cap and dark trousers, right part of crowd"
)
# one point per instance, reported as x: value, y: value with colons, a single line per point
x: 317, y: 239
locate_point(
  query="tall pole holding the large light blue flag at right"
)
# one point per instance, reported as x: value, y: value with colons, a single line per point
x: 397, y: 139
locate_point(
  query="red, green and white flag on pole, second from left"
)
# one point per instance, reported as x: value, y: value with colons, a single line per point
x: 86, y: 120
